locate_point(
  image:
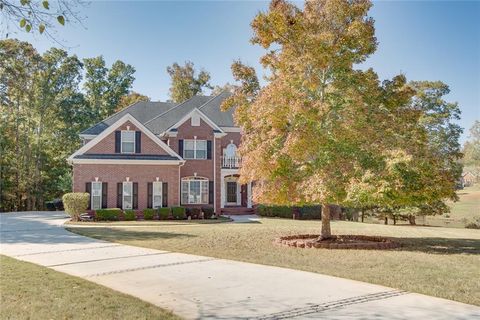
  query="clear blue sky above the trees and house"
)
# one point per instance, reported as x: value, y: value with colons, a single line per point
x: 425, y: 40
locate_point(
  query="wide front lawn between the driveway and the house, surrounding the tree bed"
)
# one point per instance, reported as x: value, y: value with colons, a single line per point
x: 442, y: 262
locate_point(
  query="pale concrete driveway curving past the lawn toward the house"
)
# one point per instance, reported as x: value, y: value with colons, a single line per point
x: 198, y: 287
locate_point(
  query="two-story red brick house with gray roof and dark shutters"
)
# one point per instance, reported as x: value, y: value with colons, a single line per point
x: 158, y: 154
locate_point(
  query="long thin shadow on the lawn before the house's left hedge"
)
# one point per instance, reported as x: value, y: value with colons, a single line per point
x: 114, y: 234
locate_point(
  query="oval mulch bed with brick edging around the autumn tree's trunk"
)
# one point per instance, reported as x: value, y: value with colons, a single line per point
x: 337, y: 242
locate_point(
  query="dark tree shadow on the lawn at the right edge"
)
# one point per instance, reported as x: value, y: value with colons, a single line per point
x: 439, y: 245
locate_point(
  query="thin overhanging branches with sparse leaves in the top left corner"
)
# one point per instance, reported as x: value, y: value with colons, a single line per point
x: 40, y: 16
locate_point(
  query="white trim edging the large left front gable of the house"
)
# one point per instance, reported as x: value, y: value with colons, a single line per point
x: 113, y: 127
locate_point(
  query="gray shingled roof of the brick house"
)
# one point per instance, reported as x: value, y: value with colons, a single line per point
x: 160, y: 116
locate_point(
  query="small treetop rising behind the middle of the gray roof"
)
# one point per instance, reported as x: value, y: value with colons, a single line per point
x: 184, y: 82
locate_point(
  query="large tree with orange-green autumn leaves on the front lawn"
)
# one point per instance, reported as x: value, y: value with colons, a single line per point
x: 321, y: 131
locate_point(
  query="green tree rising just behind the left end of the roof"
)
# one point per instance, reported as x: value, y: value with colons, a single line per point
x: 105, y: 87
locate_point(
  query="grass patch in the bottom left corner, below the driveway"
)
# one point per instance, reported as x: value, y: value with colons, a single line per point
x: 29, y: 291
